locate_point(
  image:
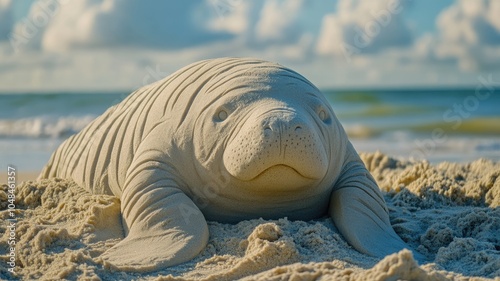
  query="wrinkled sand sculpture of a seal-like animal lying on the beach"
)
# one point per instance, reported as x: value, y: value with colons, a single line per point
x: 226, y: 140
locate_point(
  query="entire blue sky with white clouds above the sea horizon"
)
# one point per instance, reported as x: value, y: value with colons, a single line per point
x: 114, y: 45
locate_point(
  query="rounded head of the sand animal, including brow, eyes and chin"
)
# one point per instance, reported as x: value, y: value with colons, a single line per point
x: 265, y: 141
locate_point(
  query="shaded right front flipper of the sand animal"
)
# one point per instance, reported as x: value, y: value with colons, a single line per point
x: 358, y: 211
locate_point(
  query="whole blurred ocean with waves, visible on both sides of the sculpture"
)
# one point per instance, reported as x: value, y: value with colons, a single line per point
x: 457, y: 125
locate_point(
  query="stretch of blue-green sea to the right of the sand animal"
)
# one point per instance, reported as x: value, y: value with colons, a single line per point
x: 457, y: 125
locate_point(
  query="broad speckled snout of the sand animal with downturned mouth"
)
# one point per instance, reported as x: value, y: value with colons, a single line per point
x: 277, y: 144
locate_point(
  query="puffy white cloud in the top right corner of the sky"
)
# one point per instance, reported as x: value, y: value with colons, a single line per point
x: 468, y: 33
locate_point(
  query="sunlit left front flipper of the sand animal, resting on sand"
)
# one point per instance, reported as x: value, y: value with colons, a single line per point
x: 165, y: 229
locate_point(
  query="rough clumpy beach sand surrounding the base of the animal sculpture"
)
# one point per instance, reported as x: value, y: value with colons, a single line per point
x: 449, y: 212
